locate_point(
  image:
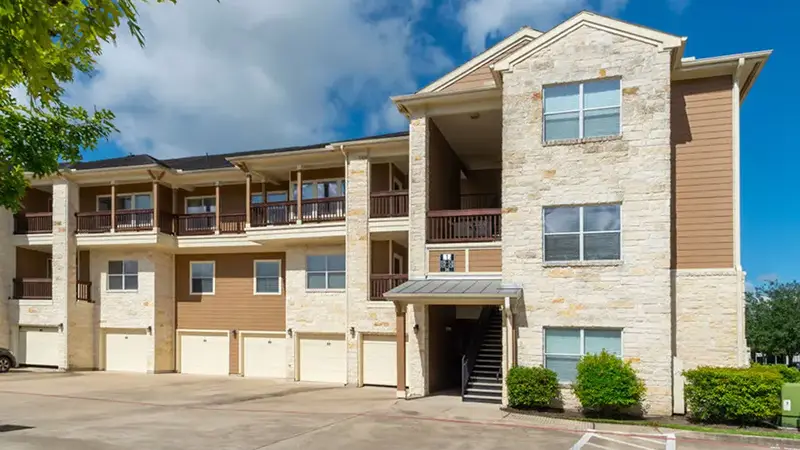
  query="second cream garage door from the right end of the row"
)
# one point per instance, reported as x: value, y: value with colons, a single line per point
x: 323, y: 358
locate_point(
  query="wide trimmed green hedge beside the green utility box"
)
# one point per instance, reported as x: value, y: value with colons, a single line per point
x: 733, y: 395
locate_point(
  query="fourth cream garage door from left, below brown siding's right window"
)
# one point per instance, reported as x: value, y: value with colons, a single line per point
x: 264, y: 356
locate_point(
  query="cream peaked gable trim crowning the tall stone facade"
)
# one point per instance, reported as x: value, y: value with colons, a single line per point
x: 585, y: 18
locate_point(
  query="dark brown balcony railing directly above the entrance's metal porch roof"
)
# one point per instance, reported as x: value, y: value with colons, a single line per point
x: 469, y: 225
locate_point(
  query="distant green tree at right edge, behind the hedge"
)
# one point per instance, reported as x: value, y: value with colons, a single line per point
x: 773, y: 318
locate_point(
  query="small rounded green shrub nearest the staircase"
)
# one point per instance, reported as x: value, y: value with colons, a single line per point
x: 531, y: 387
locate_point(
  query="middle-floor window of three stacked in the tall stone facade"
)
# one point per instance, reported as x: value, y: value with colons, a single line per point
x: 582, y: 233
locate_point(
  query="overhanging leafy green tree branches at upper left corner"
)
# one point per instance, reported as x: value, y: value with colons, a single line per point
x: 43, y: 43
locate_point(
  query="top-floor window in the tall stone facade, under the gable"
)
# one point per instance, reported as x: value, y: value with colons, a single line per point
x: 582, y: 110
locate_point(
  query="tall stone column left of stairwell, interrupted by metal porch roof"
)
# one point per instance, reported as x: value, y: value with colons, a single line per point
x: 417, y: 346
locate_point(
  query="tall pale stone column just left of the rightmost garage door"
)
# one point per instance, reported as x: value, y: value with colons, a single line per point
x: 357, y: 252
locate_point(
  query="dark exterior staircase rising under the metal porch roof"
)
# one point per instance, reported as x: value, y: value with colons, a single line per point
x: 485, y: 382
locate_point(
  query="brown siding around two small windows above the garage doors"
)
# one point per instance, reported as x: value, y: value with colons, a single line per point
x: 233, y: 305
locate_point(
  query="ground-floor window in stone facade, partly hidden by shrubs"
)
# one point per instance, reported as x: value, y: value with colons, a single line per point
x: 563, y: 347
